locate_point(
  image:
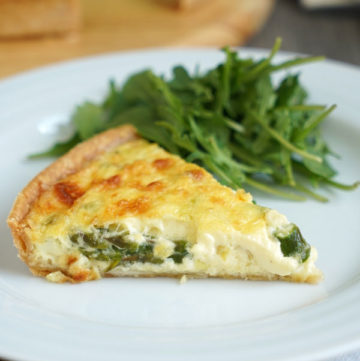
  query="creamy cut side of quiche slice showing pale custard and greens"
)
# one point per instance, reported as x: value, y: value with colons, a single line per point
x: 132, y: 248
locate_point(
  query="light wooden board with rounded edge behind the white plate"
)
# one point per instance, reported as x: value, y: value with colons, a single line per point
x: 112, y: 25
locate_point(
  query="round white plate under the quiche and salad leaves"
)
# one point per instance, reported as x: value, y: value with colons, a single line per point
x: 159, y: 319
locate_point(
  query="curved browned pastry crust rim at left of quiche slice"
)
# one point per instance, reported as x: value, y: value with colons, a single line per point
x: 69, y: 163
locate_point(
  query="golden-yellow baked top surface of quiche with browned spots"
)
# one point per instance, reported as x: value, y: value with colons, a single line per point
x: 139, y: 179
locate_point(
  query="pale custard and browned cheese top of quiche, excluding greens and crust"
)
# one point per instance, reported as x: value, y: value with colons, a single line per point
x: 148, y: 191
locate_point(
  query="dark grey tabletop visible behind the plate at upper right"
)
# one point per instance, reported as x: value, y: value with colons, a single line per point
x: 335, y: 34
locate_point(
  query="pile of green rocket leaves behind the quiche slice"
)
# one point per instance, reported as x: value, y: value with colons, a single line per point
x: 233, y: 120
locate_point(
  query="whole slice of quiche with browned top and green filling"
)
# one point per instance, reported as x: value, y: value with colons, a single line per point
x: 117, y: 205
